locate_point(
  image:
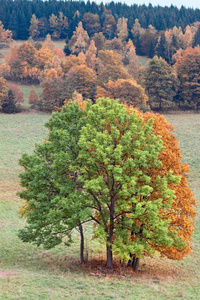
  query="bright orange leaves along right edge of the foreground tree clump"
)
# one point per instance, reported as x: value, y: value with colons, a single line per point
x: 181, y: 213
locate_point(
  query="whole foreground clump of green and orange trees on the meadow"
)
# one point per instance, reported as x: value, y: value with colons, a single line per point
x: 102, y: 163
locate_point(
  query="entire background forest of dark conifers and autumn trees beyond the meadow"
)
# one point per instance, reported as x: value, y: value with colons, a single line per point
x: 102, y: 54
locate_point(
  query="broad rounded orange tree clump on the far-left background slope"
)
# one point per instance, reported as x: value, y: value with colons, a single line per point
x: 25, y: 62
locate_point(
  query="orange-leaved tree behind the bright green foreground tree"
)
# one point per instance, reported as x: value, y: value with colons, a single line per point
x: 178, y: 203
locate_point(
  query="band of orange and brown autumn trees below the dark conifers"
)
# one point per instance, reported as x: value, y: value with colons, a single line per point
x: 98, y: 67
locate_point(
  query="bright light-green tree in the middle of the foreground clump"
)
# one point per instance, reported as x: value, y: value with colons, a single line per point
x: 117, y: 150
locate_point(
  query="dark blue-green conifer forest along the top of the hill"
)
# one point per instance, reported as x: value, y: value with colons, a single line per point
x: 16, y: 15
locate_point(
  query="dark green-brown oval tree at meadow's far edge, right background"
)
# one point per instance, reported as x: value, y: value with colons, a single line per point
x: 160, y: 82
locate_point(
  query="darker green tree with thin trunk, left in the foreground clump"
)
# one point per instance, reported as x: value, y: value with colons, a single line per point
x: 54, y: 202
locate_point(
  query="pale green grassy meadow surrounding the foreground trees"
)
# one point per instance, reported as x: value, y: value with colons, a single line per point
x: 28, y: 272
